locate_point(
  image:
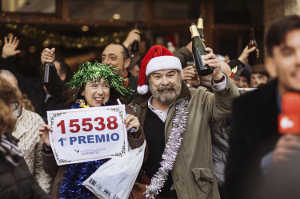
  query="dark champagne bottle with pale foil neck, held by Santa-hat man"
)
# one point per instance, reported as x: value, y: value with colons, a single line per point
x: 198, y: 48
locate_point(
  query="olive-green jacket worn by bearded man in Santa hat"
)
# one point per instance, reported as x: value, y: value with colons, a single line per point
x: 193, y: 174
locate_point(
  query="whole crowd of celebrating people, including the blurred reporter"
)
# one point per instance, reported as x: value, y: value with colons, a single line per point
x: 207, y: 137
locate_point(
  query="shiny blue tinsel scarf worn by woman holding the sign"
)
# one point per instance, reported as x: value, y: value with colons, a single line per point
x: 75, y: 174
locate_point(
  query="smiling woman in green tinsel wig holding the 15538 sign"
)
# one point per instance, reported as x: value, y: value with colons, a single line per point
x: 94, y: 85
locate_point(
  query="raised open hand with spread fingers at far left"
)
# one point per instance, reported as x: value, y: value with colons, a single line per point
x: 10, y: 45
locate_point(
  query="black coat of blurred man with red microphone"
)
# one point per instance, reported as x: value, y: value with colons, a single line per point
x: 255, y: 133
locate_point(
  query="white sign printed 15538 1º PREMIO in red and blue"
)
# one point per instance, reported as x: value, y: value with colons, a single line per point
x: 86, y: 134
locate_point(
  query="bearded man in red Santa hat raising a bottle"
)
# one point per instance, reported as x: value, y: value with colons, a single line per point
x: 172, y: 113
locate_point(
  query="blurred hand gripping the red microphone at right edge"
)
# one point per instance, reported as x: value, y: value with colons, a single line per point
x: 286, y: 148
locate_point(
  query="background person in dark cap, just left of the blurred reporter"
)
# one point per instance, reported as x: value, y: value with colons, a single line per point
x: 259, y: 76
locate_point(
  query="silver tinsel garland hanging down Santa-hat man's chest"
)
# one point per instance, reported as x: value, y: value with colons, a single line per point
x: 169, y: 155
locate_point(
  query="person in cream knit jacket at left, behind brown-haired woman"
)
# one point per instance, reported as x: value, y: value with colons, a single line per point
x: 26, y: 132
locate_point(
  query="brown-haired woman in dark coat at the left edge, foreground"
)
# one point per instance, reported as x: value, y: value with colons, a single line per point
x: 16, y: 181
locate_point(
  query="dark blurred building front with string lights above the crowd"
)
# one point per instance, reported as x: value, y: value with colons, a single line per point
x: 79, y: 29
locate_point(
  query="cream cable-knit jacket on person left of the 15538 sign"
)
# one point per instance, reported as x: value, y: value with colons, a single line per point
x: 27, y: 132
